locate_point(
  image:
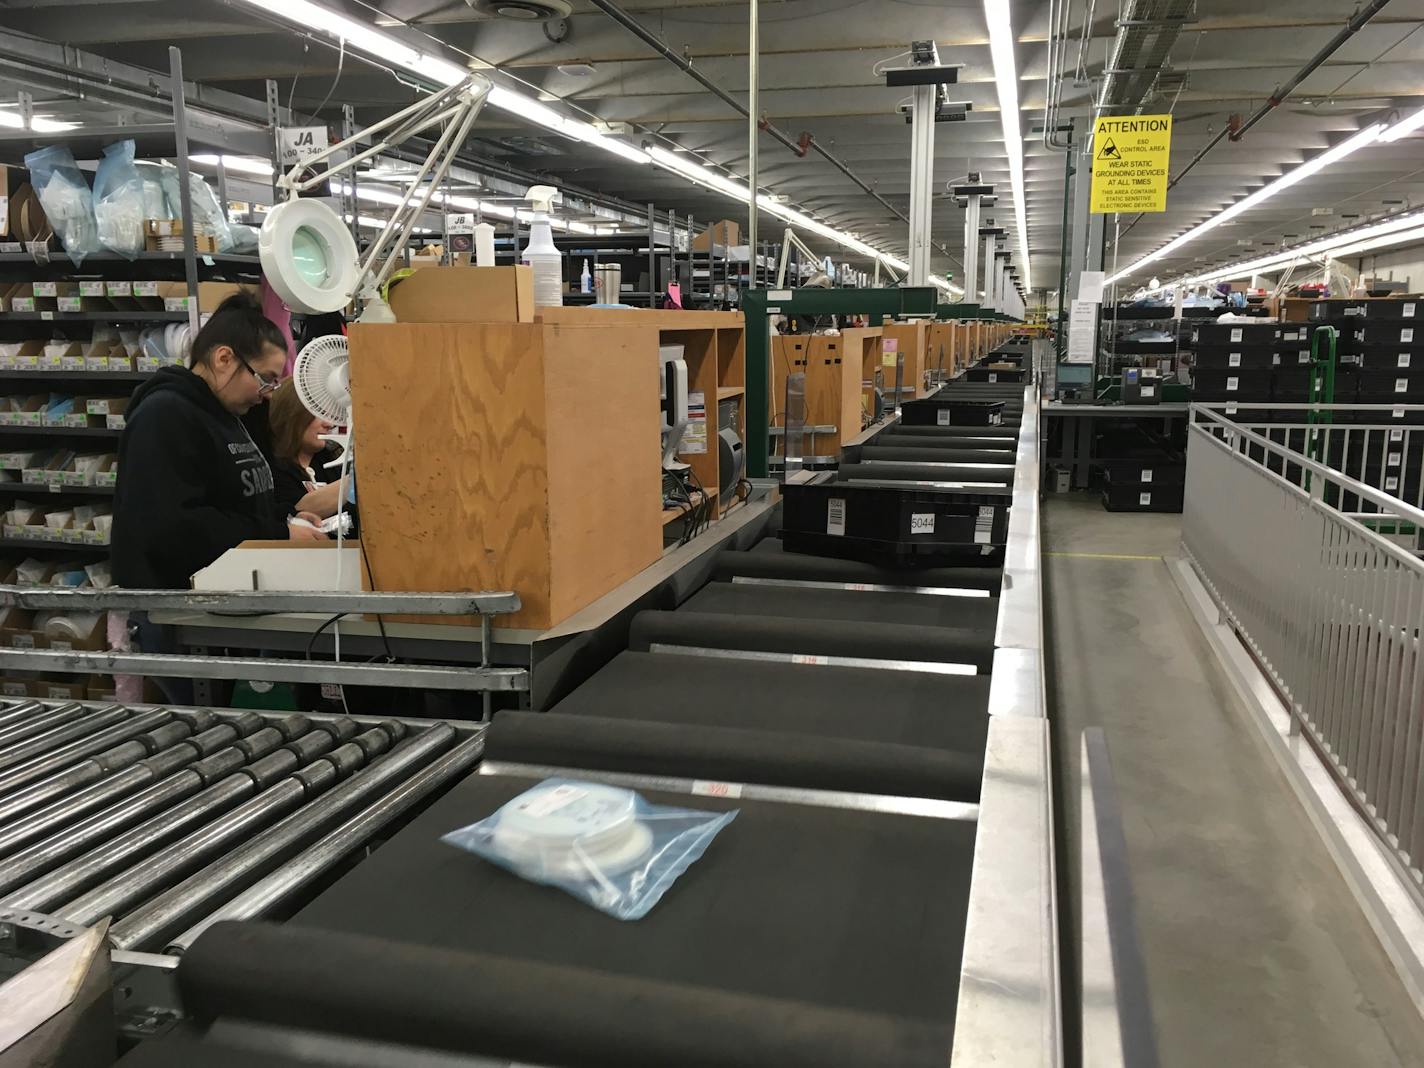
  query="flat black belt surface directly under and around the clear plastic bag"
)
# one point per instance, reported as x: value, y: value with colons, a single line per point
x: 831, y: 908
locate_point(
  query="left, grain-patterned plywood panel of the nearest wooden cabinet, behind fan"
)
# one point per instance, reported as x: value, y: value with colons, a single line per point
x: 451, y: 436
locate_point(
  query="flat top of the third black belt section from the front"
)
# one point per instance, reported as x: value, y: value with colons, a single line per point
x: 922, y: 610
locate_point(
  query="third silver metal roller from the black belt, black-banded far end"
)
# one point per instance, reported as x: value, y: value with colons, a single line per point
x: 127, y: 889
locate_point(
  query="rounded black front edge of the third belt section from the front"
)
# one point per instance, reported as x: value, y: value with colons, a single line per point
x: 972, y: 646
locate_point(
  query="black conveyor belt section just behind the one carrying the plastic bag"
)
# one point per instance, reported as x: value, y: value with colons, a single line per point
x: 857, y: 730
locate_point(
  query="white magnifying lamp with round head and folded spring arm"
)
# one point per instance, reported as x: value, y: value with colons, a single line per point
x: 308, y: 254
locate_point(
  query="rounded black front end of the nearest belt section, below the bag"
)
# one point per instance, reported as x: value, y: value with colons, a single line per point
x: 473, y: 1003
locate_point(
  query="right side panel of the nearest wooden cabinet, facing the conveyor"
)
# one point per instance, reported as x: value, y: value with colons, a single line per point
x: 604, y: 476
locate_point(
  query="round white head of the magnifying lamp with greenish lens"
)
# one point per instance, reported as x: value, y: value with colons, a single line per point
x: 310, y: 257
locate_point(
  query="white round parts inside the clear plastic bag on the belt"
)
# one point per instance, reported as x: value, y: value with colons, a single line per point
x: 567, y: 831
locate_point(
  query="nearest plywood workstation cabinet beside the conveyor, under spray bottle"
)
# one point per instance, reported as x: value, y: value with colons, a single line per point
x: 523, y: 456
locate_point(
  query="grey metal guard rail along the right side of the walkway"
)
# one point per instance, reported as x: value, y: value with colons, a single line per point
x: 1332, y: 610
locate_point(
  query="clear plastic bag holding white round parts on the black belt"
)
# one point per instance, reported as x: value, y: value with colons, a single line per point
x: 604, y: 845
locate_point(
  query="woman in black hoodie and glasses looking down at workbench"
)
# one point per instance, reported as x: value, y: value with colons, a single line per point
x: 192, y: 483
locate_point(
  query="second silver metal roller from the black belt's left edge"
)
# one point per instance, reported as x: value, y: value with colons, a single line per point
x: 173, y: 908
